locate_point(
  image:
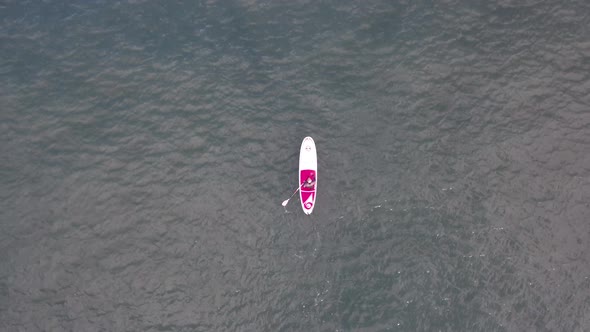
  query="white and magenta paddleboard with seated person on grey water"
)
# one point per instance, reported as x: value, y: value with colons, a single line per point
x: 308, y: 169
